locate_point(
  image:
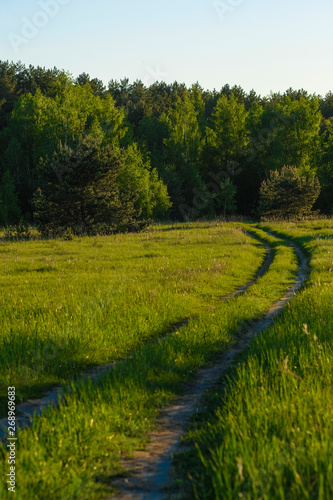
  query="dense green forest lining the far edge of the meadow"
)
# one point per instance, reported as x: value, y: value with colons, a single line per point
x: 74, y: 153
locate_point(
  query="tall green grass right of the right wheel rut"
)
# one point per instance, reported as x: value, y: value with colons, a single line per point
x: 267, y: 430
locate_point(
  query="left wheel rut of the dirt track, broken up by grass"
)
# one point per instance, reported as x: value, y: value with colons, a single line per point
x: 27, y: 410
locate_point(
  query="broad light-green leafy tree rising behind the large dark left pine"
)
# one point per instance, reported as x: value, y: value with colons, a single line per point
x: 39, y: 125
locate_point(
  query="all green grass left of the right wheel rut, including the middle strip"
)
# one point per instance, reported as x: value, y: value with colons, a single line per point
x: 91, y: 301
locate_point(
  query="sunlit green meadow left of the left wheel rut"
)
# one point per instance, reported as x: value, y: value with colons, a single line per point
x: 66, y: 306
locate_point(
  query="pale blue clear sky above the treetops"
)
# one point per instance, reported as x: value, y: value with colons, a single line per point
x: 265, y: 45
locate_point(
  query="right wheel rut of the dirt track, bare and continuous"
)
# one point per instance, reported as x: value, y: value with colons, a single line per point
x: 149, y: 471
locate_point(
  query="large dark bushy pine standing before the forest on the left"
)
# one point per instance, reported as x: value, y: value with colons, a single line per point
x: 82, y: 191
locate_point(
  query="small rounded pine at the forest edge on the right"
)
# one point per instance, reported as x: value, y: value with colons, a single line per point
x: 287, y: 194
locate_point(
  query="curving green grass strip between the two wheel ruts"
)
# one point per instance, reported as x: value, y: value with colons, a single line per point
x: 74, y: 451
